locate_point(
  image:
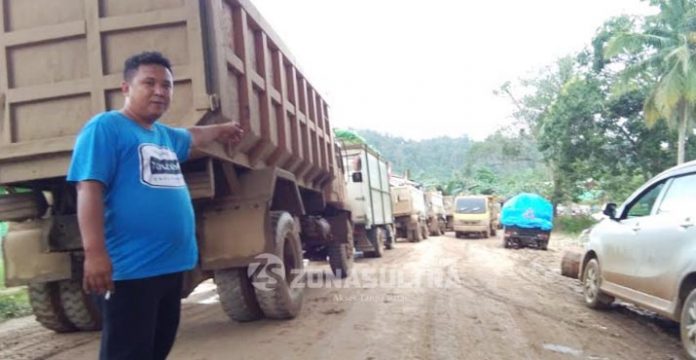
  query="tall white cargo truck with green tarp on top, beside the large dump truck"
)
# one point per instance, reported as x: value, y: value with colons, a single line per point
x: 369, y: 197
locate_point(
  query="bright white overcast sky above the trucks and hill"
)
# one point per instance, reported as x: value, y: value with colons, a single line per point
x: 421, y: 69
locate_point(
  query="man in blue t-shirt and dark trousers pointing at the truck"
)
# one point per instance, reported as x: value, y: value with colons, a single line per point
x: 135, y: 212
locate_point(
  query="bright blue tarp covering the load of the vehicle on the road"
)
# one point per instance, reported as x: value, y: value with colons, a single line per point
x: 528, y: 211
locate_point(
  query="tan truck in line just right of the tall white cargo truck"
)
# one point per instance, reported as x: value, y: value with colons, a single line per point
x: 410, y: 211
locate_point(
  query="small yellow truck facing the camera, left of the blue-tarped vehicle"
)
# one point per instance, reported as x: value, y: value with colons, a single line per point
x: 476, y: 214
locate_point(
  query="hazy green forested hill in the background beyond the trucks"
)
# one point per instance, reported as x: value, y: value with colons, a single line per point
x: 500, y: 164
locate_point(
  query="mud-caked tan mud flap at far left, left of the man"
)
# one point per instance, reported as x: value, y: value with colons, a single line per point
x: 26, y: 257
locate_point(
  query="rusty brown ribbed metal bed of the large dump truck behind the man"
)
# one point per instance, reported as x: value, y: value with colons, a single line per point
x: 61, y: 63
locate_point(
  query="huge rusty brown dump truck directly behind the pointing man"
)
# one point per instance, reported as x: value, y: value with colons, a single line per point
x: 280, y: 191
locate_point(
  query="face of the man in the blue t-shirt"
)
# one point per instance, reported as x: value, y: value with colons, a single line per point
x: 148, y: 92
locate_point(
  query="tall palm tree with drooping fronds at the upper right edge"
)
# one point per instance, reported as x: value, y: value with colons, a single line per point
x: 667, y: 48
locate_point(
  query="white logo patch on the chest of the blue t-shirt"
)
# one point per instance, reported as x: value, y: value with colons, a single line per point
x: 159, y: 167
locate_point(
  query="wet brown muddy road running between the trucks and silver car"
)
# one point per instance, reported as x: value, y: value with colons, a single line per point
x: 442, y: 298
